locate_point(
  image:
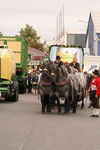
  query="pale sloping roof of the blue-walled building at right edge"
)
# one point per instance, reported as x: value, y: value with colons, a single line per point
x: 96, y: 20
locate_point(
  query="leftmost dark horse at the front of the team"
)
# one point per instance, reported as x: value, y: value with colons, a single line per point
x: 46, y: 87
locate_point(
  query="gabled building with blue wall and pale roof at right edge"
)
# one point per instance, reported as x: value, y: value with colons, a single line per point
x: 93, y: 34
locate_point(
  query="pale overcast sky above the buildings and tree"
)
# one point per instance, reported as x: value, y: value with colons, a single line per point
x: 42, y: 14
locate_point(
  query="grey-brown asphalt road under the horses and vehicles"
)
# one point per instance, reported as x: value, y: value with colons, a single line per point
x: 23, y: 127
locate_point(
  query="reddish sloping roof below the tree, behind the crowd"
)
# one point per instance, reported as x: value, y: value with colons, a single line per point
x: 37, y: 54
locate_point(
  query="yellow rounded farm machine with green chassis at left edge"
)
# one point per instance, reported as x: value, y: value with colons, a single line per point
x: 9, y: 88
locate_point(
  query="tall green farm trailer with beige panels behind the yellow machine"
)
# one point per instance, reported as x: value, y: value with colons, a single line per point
x: 19, y: 47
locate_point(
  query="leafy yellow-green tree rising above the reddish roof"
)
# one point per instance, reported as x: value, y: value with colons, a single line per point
x: 31, y: 35
